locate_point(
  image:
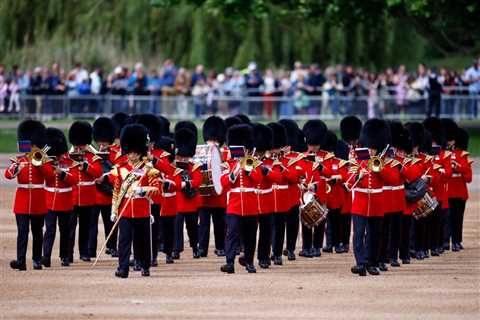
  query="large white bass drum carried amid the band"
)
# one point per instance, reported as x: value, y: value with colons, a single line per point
x: 210, y: 158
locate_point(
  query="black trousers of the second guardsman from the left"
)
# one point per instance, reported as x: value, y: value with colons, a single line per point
x: 63, y: 218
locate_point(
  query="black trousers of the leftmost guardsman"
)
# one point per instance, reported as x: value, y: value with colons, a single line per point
x: 24, y: 221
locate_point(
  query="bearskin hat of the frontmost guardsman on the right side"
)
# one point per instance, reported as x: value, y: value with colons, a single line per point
x: 375, y: 134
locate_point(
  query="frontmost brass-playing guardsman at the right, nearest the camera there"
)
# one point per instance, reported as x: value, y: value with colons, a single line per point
x: 367, y: 203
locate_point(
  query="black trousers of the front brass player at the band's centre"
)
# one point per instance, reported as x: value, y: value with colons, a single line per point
x: 236, y: 226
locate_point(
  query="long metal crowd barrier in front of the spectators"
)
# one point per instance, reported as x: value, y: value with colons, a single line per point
x: 260, y: 107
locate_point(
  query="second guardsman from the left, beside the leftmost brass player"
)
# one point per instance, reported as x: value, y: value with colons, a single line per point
x: 58, y: 189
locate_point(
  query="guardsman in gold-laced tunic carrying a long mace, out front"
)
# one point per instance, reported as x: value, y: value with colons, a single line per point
x: 134, y: 184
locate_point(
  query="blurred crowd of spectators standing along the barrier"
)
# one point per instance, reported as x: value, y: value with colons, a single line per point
x: 306, y: 89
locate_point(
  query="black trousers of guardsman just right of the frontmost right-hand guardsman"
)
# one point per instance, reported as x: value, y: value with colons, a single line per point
x: 391, y: 230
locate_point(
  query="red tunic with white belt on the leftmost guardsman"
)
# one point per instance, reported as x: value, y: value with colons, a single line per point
x: 30, y: 194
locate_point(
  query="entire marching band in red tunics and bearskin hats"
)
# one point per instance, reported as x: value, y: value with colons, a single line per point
x: 400, y: 188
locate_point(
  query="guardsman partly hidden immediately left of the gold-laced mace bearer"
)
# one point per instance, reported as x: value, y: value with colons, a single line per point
x: 104, y: 136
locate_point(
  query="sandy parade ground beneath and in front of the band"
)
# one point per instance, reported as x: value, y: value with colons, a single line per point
x: 446, y: 287
